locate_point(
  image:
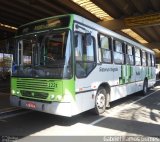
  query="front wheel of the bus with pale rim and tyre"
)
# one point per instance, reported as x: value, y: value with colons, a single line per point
x: 100, y: 101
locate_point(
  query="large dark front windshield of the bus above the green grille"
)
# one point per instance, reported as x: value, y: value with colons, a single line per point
x: 43, y: 55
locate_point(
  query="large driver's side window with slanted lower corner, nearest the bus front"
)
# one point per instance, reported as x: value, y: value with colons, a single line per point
x: 84, y: 55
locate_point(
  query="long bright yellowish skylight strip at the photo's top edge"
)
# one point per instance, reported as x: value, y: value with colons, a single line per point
x: 94, y: 9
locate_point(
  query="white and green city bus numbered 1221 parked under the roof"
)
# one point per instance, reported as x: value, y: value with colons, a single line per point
x: 65, y: 65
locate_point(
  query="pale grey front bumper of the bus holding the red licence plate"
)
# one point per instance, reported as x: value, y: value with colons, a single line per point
x: 57, y: 108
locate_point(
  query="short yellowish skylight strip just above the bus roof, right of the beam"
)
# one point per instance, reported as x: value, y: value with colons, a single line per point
x: 134, y: 35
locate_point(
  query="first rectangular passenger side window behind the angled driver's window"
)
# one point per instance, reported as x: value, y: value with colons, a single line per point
x: 105, y: 46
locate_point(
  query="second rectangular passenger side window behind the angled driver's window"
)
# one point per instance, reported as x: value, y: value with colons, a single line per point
x: 118, y: 52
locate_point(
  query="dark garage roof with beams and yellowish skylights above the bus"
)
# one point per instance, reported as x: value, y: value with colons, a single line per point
x: 136, y: 19
